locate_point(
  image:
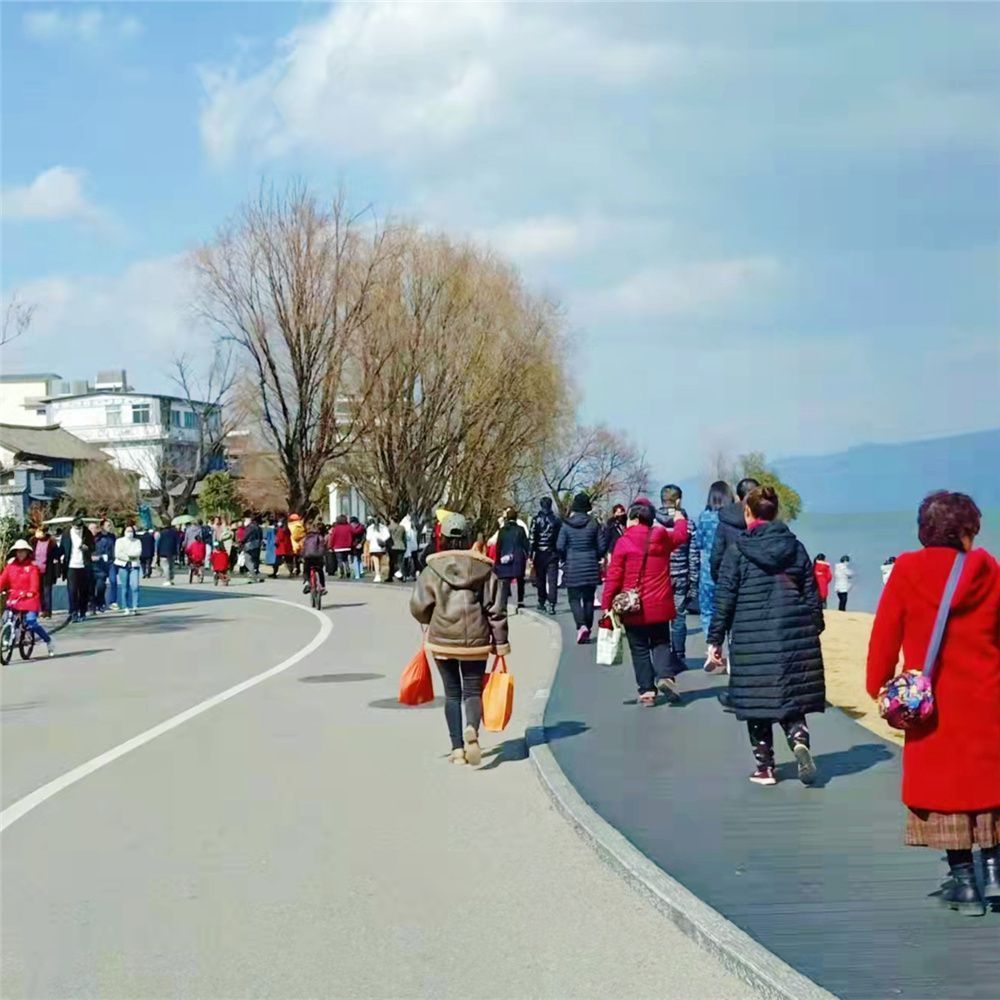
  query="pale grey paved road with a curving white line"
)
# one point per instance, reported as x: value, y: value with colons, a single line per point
x: 304, y: 838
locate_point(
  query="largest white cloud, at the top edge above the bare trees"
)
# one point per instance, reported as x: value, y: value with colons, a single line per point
x: 405, y: 78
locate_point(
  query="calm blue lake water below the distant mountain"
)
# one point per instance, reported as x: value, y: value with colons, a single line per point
x: 868, y: 539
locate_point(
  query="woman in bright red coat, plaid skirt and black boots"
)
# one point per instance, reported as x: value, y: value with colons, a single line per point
x: 951, y: 766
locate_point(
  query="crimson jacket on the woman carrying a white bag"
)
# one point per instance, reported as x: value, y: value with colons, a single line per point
x: 626, y: 561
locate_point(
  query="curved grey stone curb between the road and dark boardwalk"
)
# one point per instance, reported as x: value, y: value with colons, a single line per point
x: 734, y: 948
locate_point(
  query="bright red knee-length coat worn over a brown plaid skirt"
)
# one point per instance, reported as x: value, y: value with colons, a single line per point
x: 953, y: 765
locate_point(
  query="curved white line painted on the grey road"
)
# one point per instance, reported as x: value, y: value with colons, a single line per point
x: 23, y: 806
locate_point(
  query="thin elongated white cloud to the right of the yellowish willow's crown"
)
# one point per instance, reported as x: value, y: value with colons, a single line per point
x: 700, y: 288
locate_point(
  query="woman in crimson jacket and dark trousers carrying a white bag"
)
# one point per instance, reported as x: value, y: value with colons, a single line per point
x: 641, y: 561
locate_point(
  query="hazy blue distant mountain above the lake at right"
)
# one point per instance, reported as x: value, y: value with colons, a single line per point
x: 888, y: 477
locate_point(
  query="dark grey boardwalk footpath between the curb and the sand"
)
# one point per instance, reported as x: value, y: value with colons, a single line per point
x: 818, y: 875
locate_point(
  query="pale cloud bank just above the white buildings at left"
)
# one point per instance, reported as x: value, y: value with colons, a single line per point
x: 137, y: 319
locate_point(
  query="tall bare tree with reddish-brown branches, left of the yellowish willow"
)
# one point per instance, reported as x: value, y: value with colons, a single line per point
x: 291, y: 283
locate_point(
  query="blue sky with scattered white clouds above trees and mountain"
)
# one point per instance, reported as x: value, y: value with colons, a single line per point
x: 771, y: 226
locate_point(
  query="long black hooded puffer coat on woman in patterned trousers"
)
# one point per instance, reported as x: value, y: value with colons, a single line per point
x: 767, y: 598
